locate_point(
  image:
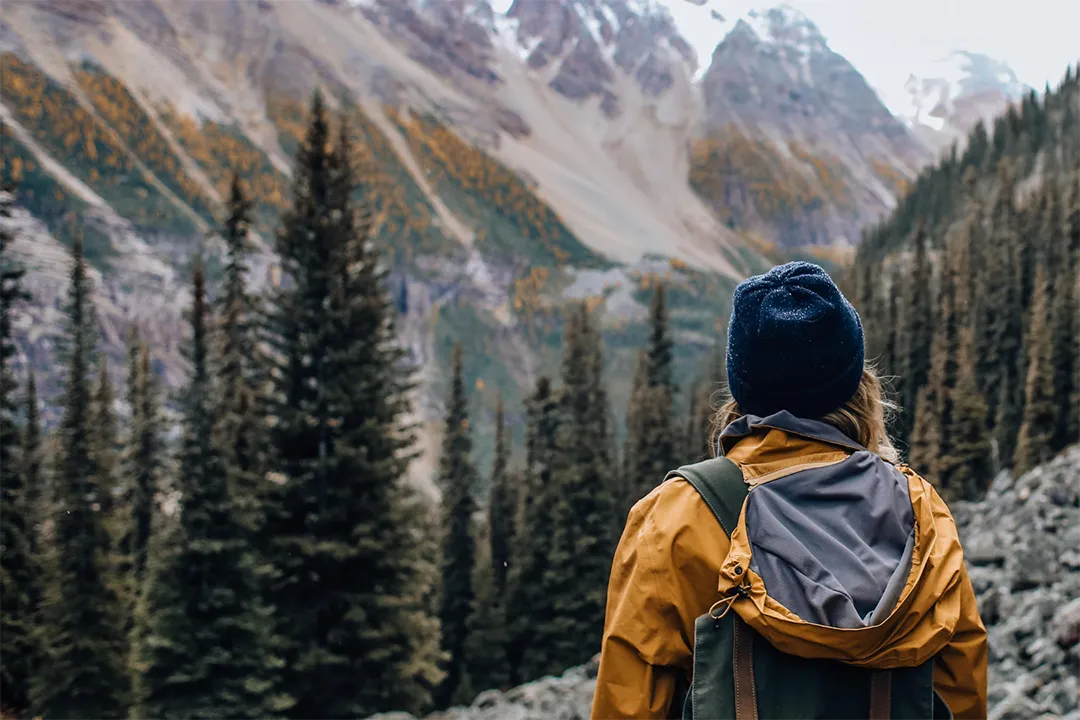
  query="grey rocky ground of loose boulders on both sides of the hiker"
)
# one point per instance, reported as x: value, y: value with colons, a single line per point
x: 1023, y: 550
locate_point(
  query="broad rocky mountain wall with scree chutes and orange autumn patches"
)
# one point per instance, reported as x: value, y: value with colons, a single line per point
x: 517, y: 159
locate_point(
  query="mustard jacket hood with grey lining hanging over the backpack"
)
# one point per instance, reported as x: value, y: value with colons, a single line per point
x: 838, y: 553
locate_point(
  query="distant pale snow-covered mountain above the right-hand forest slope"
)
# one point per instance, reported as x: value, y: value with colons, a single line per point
x: 944, y: 101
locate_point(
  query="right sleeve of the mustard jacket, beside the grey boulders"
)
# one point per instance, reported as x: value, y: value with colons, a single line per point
x: 961, y: 669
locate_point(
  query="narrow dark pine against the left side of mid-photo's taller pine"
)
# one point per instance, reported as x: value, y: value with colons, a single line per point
x: 529, y: 605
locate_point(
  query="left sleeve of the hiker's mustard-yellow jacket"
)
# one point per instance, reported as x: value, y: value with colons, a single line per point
x: 643, y: 640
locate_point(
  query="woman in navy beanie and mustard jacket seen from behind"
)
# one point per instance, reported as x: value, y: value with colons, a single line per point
x: 838, y: 553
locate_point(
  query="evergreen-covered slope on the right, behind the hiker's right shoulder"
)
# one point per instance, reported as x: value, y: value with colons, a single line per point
x: 971, y: 304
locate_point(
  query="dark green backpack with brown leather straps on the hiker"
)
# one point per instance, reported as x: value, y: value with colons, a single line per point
x: 738, y: 675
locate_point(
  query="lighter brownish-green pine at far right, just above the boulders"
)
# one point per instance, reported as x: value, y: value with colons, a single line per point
x: 1034, y: 446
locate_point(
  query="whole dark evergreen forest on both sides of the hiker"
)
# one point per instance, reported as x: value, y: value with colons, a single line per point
x: 265, y: 556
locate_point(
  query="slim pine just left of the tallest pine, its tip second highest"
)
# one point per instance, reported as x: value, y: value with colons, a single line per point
x: 240, y: 430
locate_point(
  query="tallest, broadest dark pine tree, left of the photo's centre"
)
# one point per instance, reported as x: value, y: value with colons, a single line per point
x: 349, y: 581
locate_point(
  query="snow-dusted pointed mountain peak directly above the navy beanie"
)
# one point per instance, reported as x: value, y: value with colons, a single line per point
x: 796, y: 146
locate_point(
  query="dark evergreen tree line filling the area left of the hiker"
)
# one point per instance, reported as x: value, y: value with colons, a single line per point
x: 275, y: 562
